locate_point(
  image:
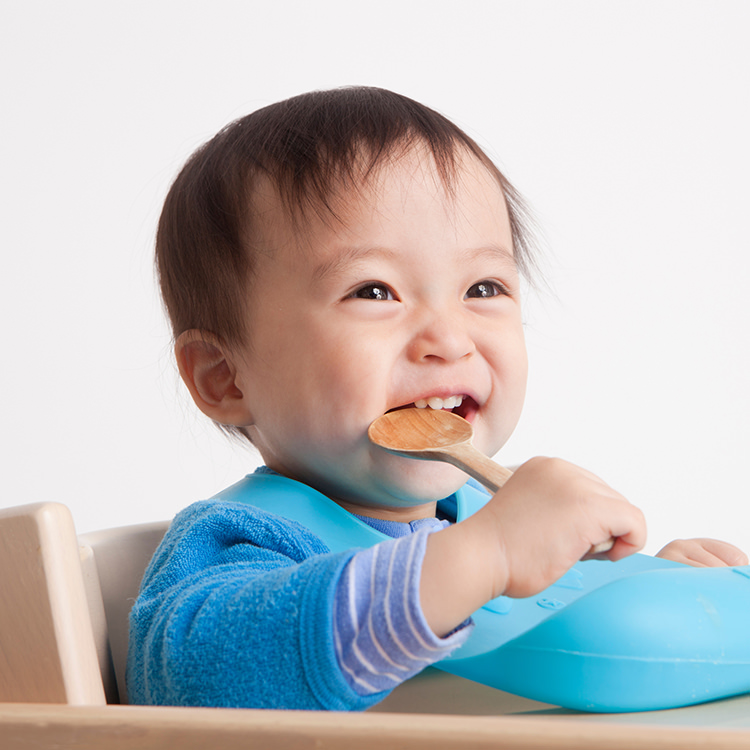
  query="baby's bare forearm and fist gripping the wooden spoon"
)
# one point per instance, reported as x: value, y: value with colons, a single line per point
x: 545, y: 519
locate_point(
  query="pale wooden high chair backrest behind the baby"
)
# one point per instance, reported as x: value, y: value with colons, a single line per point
x: 64, y: 605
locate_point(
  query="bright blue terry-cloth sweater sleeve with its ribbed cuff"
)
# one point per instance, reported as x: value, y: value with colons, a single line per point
x: 235, y: 609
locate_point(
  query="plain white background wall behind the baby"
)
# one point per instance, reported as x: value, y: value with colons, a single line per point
x: 625, y: 124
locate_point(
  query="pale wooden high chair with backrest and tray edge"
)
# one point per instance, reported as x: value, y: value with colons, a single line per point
x: 64, y: 603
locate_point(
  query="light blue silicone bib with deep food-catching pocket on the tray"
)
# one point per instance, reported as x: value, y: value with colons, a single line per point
x: 639, y: 634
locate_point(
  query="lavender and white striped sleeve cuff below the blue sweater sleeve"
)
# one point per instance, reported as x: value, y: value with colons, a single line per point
x: 380, y: 634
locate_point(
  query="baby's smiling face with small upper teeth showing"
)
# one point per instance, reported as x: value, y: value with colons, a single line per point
x: 412, y: 297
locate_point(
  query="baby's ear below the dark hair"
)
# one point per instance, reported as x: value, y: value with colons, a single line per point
x: 206, y: 366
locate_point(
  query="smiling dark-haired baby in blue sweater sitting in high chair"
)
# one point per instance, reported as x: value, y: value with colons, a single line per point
x: 323, y: 261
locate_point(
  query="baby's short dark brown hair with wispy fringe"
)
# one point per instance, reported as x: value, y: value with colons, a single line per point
x: 307, y: 146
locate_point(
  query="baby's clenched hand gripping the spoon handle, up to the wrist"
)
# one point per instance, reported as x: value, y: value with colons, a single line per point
x: 549, y: 515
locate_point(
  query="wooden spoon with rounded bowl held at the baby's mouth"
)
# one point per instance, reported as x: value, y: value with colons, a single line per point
x: 438, y: 435
